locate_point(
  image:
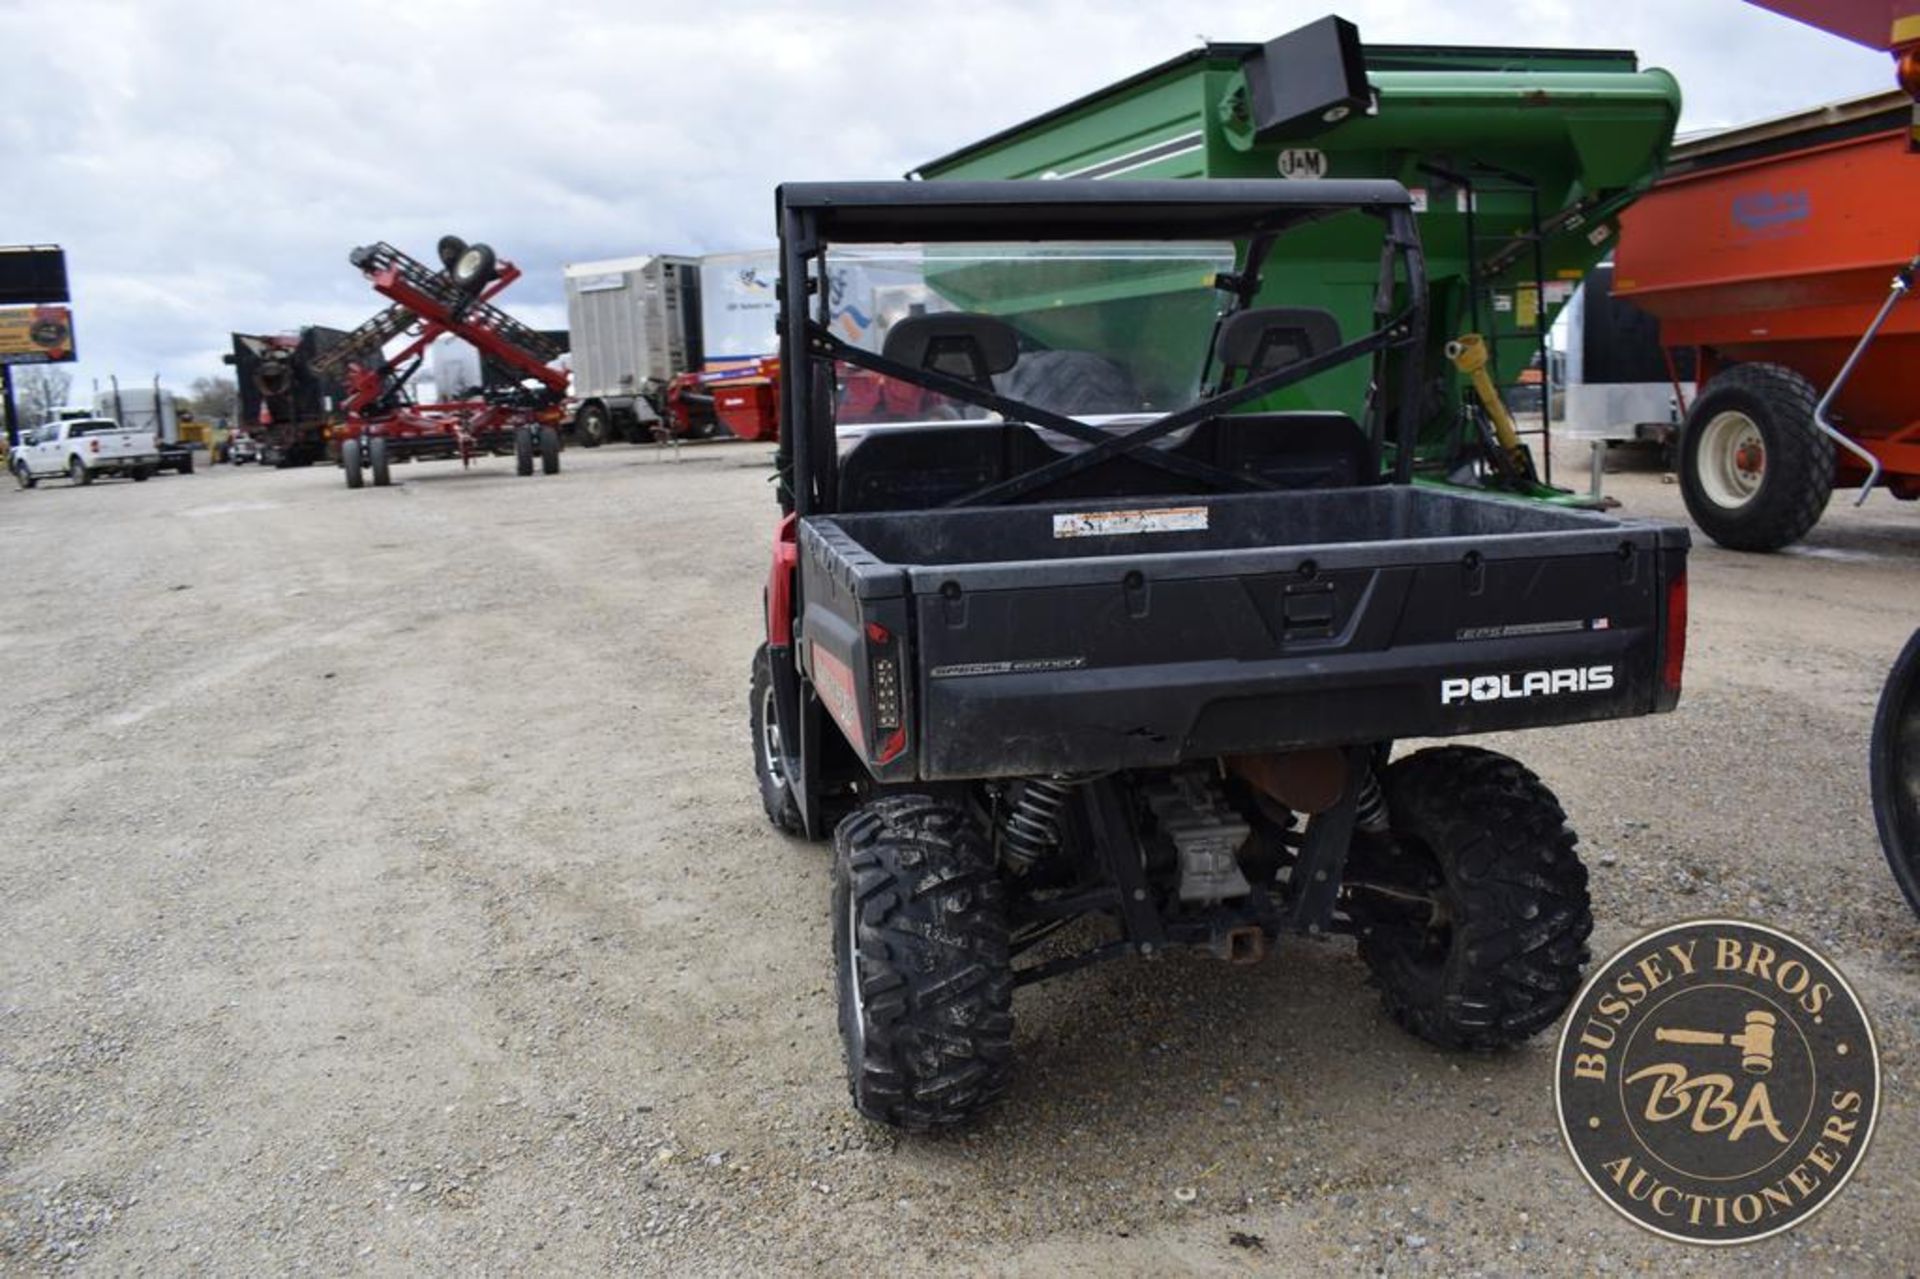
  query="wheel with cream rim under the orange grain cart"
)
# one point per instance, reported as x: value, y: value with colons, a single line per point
x: 1754, y: 468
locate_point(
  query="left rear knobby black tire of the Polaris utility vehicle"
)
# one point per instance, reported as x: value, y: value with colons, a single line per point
x: 923, y: 967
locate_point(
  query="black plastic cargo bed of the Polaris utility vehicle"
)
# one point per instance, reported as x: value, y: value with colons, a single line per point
x: 1126, y: 633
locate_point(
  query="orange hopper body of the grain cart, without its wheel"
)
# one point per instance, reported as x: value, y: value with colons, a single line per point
x: 1787, y: 260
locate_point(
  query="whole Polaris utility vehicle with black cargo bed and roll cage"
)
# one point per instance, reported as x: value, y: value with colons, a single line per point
x: 1078, y: 621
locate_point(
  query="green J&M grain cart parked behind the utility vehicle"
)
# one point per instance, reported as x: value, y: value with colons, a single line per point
x: 1520, y: 160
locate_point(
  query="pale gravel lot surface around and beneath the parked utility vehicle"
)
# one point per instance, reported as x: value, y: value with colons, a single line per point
x: 385, y: 890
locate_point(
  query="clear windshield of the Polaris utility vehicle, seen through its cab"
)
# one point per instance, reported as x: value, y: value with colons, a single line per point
x: 1084, y: 329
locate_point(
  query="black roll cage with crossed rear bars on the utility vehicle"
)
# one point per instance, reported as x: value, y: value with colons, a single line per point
x: 1253, y: 214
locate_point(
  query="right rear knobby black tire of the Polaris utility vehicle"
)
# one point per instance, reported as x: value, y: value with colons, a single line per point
x: 1502, y: 955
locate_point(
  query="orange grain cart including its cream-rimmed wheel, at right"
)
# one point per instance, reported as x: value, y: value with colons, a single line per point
x: 1771, y: 251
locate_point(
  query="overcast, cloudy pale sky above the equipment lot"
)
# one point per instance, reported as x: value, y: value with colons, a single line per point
x: 208, y: 166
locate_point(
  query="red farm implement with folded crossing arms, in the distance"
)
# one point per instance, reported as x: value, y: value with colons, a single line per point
x: 385, y: 425
